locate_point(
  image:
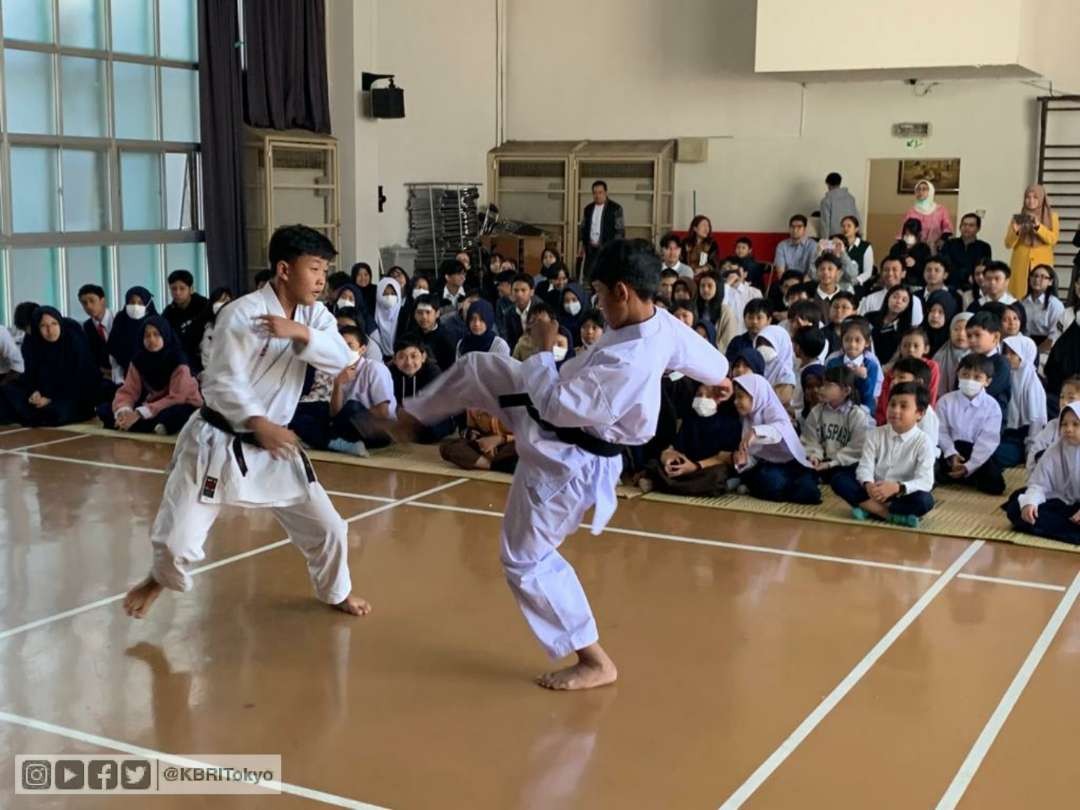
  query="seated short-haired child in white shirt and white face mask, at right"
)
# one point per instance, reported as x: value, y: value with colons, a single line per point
x: 970, y: 429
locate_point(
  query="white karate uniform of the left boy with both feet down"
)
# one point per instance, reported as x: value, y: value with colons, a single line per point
x: 250, y: 375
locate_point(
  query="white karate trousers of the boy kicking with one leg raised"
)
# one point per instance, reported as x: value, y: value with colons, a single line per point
x: 544, y: 584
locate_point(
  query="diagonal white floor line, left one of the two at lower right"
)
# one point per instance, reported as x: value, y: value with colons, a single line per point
x: 849, y: 682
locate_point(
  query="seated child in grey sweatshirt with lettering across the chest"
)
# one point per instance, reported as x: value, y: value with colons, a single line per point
x: 835, y: 429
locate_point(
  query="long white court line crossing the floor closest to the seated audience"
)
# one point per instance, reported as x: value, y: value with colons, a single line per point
x: 610, y: 530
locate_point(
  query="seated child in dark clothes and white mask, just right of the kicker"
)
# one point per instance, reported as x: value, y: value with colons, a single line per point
x: 699, y: 462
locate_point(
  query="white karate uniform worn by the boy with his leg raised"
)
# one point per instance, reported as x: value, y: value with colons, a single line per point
x: 613, y: 393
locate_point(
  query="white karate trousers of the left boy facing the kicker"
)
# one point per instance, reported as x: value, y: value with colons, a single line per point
x: 184, y: 520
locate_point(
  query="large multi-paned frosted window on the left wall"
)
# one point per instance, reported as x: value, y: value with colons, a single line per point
x: 100, y: 172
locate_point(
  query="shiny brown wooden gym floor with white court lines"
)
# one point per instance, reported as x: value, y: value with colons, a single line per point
x: 765, y: 663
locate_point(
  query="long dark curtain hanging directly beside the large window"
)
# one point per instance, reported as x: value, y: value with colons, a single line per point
x: 220, y: 97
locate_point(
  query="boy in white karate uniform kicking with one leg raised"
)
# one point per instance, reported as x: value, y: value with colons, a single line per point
x: 570, y: 427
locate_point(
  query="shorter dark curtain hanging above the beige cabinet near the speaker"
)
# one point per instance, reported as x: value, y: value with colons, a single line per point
x: 286, y: 82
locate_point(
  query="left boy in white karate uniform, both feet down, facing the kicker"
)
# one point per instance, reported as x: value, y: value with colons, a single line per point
x: 236, y: 452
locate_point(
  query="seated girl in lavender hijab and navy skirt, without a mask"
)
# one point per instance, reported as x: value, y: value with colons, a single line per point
x: 771, y: 460
